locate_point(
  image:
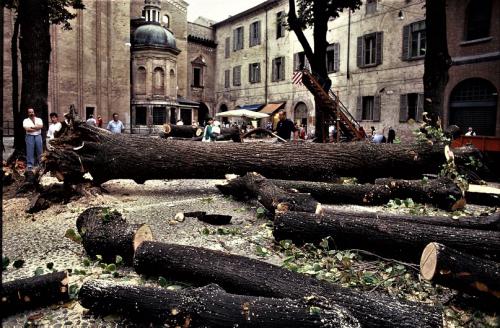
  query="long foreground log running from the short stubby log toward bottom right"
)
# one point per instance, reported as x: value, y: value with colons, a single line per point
x: 242, y: 275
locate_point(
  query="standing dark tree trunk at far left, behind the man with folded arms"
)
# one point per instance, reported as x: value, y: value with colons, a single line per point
x: 35, y: 50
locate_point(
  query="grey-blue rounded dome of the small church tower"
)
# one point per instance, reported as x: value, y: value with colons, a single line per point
x: 153, y: 35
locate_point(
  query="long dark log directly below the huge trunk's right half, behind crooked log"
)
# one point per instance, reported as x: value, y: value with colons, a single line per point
x: 441, y: 192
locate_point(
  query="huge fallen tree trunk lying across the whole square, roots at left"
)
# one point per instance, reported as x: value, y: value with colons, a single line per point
x: 109, y: 156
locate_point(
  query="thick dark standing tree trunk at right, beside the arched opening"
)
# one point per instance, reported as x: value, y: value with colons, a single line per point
x: 437, y: 61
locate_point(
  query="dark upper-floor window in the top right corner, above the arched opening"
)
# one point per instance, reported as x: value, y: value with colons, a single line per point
x: 478, y: 15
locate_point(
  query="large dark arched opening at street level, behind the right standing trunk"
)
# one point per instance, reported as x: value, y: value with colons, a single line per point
x: 473, y: 102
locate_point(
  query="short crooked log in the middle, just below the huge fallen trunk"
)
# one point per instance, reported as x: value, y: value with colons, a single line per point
x: 272, y: 197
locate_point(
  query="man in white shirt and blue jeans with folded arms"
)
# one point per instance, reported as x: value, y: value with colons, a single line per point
x: 33, y: 126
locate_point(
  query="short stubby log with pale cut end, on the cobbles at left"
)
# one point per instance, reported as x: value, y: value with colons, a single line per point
x: 107, y: 233
